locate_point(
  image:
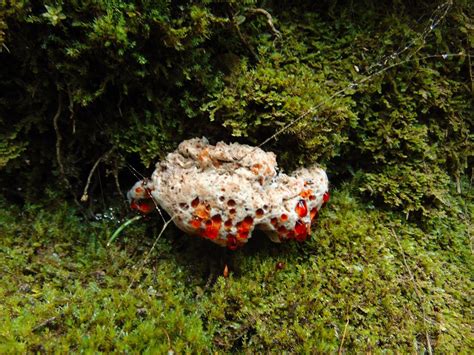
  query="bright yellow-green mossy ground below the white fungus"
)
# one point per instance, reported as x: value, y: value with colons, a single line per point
x: 366, y: 281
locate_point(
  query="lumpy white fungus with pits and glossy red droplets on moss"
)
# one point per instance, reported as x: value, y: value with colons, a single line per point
x: 224, y: 192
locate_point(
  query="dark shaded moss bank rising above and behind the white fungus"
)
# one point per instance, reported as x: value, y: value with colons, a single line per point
x: 140, y: 77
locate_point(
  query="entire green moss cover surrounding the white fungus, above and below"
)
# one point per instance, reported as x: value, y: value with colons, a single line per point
x: 139, y: 77
